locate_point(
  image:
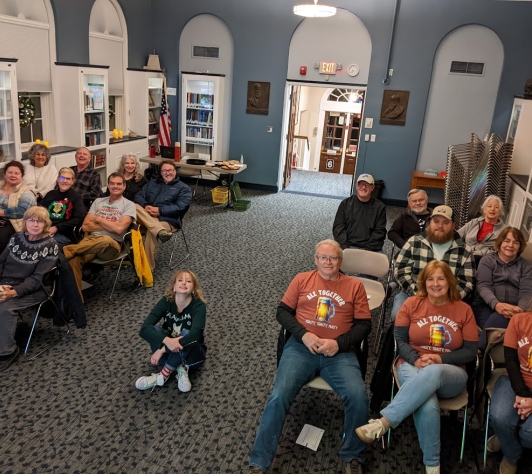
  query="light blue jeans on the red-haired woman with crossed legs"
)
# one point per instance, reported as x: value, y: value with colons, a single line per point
x: 418, y: 395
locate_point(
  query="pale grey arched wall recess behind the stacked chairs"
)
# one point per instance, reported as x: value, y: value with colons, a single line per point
x: 459, y: 105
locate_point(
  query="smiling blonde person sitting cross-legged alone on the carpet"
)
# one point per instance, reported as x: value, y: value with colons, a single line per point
x: 178, y: 343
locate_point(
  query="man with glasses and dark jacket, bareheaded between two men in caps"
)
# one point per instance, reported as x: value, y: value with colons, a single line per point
x: 413, y: 221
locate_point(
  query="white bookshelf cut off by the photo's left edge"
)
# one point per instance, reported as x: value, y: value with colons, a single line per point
x: 9, y: 120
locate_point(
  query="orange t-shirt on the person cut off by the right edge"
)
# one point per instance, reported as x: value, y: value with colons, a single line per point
x: 519, y: 336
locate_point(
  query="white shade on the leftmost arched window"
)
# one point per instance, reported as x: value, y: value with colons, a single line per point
x: 30, y: 45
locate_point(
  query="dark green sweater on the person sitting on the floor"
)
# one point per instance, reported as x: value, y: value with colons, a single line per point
x: 191, y: 318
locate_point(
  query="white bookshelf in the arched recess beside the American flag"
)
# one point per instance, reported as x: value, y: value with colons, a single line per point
x: 201, y: 118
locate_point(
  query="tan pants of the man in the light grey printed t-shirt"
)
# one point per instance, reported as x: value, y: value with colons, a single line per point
x: 91, y: 247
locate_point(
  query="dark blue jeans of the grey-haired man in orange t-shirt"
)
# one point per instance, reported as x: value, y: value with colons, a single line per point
x: 297, y: 367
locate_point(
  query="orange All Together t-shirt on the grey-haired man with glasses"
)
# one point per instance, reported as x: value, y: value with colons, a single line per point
x: 324, y: 307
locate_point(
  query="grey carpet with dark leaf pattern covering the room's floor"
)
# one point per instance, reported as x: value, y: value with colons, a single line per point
x: 76, y: 410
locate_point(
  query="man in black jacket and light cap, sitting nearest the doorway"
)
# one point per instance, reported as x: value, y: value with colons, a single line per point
x: 360, y: 221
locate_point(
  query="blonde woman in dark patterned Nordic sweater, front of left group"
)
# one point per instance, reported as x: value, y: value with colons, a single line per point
x: 29, y: 255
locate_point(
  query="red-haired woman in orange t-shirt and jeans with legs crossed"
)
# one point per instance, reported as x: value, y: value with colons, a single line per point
x: 436, y: 336
